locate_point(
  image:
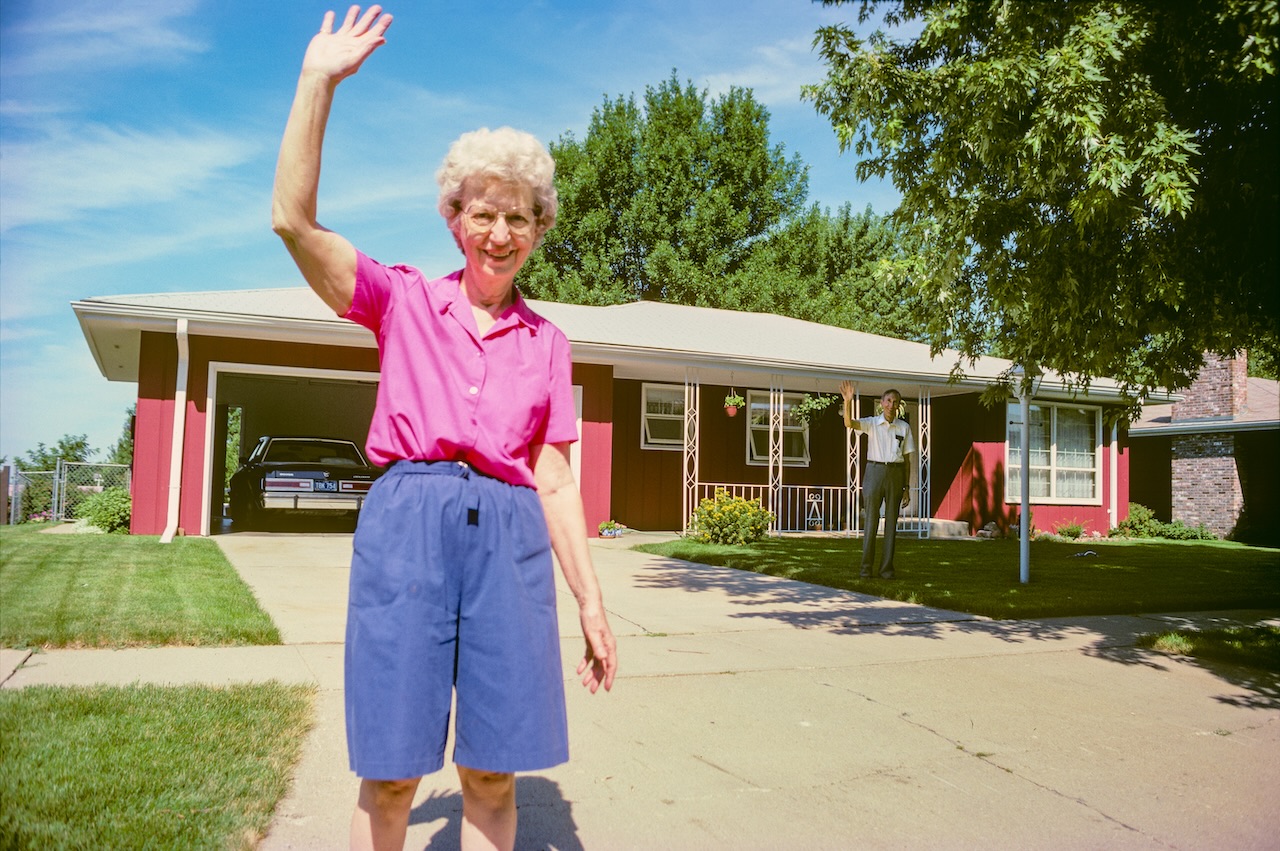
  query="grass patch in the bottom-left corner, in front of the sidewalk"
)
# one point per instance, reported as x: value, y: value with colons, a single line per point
x: 147, y: 767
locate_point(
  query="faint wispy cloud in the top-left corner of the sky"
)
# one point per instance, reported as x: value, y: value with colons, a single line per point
x: 93, y: 36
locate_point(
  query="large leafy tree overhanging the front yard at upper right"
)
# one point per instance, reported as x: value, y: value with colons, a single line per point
x: 1098, y: 177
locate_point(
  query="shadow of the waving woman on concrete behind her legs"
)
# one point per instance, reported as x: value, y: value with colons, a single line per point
x: 546, y: 817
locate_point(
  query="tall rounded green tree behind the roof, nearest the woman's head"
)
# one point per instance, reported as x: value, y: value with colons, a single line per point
x: 662, y: 203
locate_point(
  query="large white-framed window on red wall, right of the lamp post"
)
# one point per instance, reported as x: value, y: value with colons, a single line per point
x: 1064, y: 454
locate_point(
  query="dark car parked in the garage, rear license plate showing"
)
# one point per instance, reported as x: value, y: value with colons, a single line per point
x: 287, y: 475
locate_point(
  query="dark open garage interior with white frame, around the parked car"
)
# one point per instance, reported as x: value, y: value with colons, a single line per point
x: 252, y: 402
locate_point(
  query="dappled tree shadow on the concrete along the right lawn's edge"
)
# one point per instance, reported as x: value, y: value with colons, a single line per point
x: 843, y: 612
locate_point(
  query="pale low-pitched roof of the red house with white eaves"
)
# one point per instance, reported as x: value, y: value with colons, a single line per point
x: 651, y: 341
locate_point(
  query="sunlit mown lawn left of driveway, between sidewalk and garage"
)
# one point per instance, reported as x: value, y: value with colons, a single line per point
x: 121, y: 591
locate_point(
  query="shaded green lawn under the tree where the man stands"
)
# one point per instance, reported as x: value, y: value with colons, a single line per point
x: 982, y: 577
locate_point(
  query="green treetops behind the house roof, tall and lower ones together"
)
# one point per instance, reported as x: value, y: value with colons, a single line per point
x: 682, y: 199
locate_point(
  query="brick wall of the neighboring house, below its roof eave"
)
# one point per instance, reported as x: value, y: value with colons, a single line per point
x: 1206, y: 488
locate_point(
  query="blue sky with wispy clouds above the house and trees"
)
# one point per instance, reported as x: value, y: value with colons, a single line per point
x: 139, y: 140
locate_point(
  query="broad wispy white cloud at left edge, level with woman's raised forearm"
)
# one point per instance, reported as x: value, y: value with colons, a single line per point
x: 79, y: 168
